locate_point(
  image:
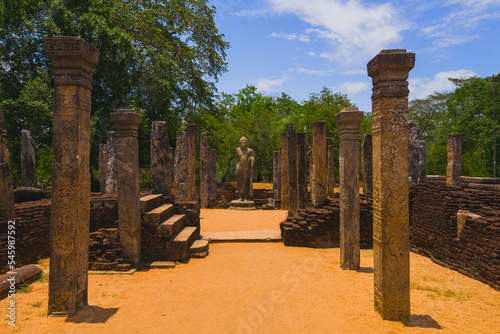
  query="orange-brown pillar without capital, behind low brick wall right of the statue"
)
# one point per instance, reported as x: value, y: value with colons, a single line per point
x: 319, y: 170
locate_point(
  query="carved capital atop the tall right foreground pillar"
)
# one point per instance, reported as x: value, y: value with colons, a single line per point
x: 389, y: 70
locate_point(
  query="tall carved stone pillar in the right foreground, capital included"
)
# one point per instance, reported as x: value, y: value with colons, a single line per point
x: 389, y: 71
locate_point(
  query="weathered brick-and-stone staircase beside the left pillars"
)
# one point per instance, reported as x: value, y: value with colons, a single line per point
x: 168, y: 233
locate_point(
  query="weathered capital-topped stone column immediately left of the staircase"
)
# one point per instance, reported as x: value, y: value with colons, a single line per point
x: 126, y: 123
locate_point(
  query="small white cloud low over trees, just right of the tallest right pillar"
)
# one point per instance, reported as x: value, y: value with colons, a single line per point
x: 422, y: 87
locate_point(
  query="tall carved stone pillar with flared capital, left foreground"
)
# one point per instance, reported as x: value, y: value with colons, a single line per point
x: 72, y: 59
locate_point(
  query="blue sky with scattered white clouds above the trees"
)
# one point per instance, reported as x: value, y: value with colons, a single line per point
x: 300, y: 46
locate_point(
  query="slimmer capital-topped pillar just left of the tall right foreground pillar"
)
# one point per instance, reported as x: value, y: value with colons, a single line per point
x: 349, y: 121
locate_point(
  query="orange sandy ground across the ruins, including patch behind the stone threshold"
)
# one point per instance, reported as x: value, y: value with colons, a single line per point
x: 263, y: 288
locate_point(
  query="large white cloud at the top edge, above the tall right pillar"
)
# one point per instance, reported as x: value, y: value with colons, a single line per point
x: 355, y: 30
